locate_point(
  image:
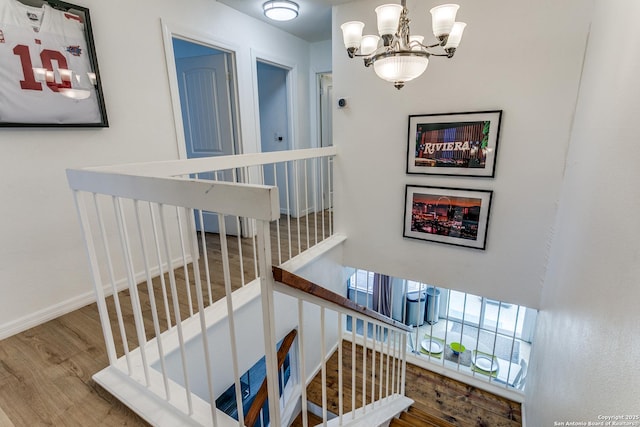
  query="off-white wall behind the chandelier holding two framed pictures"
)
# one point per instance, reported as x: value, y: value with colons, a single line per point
x: 518, y: 56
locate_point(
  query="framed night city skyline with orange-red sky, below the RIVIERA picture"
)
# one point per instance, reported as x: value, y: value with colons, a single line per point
x: 447, y: 215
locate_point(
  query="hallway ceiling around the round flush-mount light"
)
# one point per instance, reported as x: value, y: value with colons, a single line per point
x: 313, y: 23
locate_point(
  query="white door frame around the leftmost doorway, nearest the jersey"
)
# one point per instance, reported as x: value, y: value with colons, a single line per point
x: 171, y: 31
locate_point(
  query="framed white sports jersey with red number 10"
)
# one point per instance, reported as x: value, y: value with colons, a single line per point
x: 48, y: 67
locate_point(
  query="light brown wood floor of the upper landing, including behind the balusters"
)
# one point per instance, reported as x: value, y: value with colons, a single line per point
x: 45, y: 372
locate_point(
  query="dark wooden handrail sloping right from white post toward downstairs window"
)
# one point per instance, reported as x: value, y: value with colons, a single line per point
x: 302, y: 284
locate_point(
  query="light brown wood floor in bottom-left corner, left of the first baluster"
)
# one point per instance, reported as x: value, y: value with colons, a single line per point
x: 45, y: 375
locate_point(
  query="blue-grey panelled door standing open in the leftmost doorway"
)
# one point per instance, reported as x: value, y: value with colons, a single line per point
x: 207, y: 116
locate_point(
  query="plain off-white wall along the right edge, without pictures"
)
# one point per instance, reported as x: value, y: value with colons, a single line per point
x: 587, y: 343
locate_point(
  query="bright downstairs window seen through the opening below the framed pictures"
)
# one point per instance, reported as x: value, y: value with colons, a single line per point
x: 492, y: 331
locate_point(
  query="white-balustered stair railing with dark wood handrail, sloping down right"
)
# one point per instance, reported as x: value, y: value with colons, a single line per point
x: 375, y: 381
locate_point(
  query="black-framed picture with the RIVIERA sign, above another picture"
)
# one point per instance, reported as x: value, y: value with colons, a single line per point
x: 454, y: 144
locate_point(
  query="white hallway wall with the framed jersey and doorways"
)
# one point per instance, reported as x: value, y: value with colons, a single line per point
x: 43, y: 267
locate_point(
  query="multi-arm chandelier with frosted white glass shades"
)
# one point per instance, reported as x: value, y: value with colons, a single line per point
x: 402, y: 57
